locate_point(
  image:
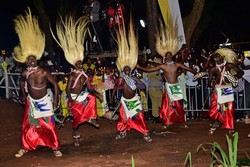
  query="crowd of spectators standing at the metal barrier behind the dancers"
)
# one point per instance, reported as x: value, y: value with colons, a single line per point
x: 104, y: 76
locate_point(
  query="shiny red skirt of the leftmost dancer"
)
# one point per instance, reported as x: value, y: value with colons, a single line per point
x: 42, y: 134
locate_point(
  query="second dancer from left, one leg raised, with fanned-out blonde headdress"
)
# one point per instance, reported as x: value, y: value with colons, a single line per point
x: 82, y: 105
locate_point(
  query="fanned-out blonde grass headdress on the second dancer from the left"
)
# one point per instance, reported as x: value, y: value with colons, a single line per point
x: 71, y: 35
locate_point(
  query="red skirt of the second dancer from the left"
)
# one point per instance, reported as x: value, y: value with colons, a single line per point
x: 82, y: 112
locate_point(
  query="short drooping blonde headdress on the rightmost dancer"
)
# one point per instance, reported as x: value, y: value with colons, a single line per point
x: 228, y: 54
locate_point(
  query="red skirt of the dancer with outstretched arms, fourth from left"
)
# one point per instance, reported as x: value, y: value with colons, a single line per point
x: 171, y: 114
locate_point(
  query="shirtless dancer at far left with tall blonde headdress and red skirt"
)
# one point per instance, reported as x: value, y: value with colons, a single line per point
x: 38, y: 123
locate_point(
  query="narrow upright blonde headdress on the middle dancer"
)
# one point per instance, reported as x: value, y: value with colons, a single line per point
x: 127, y: 47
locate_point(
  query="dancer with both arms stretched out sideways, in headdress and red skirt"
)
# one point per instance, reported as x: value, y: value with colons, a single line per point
x: 172, y: 100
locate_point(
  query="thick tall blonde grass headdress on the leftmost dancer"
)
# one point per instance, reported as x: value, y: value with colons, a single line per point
x: 32, y: 39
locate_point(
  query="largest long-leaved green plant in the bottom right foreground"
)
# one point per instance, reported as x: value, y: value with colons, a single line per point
x: 218, y: 154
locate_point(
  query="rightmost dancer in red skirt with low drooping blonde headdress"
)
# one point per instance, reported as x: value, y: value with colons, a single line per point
x: 222, y: 103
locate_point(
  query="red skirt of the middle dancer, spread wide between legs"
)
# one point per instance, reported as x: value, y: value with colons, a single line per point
x: 138, y: 122
